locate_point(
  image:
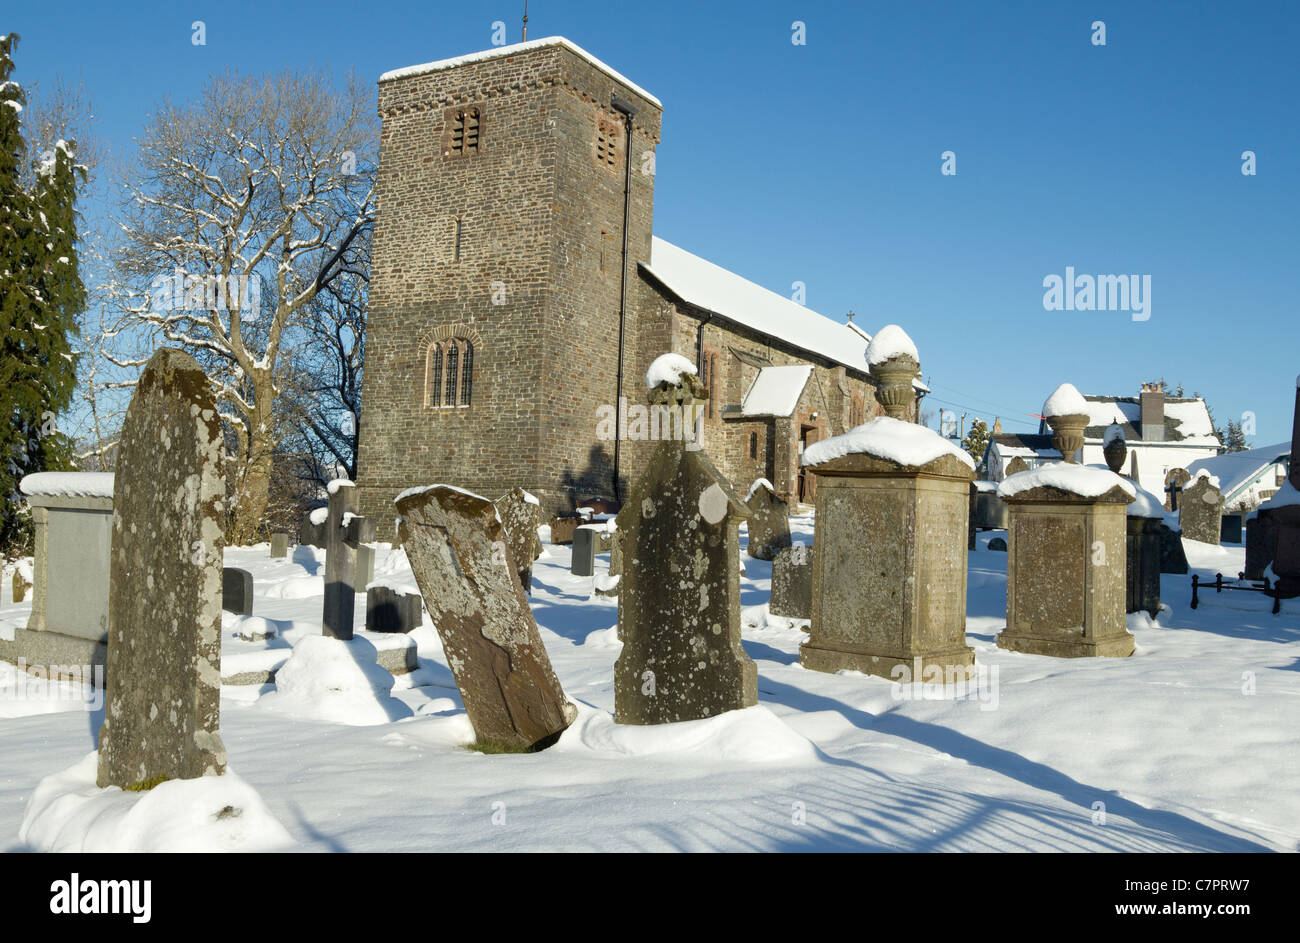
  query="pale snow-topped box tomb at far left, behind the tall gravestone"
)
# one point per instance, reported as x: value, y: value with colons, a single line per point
x: 73, y: 526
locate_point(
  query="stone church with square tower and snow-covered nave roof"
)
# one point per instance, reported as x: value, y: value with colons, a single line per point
x: 518, y: 295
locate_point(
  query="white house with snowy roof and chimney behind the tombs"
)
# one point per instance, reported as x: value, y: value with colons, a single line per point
x: 1165, y: 434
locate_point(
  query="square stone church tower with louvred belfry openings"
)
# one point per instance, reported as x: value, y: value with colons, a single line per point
x: 509, y: 184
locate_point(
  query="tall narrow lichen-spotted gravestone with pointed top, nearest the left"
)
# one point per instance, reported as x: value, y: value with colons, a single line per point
x: 164, y: 620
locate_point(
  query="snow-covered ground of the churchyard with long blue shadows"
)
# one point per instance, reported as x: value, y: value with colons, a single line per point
x: 1193, y: 745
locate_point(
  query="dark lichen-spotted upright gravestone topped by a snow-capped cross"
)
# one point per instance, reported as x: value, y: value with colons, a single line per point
x: 679, y: 595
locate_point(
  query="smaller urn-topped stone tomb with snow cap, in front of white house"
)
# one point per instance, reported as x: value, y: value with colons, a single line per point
x: 1067, y: 566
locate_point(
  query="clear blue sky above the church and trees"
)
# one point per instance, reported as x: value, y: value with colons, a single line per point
x: 821, y: 163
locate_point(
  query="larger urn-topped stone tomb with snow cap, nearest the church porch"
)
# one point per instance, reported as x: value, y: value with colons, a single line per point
x: 890, y: 556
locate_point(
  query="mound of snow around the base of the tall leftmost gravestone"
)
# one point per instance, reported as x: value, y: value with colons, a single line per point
x: 70, y: 814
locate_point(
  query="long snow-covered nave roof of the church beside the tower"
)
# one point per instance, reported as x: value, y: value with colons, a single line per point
x: 709, y: 287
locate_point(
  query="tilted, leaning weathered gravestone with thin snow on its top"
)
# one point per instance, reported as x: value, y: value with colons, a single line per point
x: 453, y: 540
